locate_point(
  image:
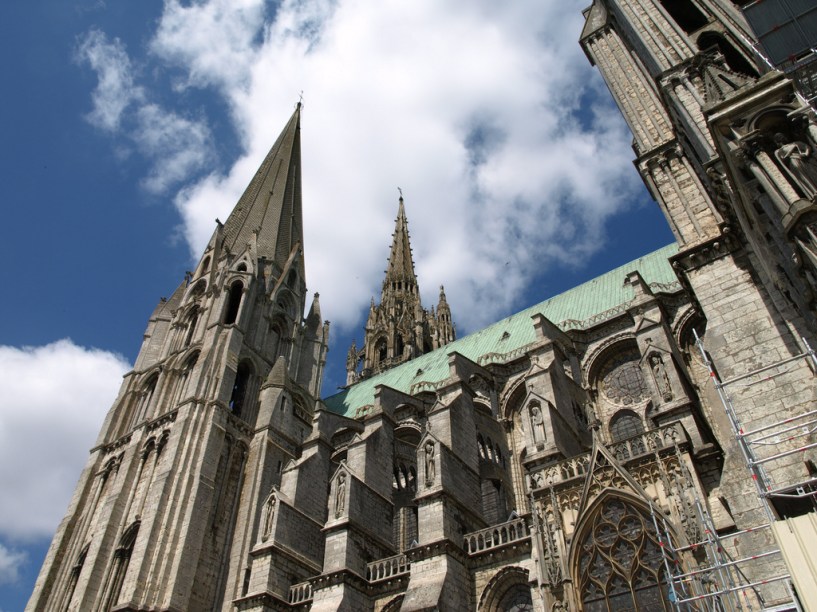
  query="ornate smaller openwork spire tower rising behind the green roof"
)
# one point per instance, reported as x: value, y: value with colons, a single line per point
x: 399, y: 328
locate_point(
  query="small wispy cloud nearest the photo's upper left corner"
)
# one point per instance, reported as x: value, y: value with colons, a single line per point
x: 115, y: 89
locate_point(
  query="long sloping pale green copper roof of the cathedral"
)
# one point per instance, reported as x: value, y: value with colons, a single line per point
x: 581, y: 307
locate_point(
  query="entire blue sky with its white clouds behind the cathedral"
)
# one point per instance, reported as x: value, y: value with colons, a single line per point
x: 128, y: 127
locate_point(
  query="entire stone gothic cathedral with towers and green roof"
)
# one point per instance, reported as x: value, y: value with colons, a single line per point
x: 644, y: 441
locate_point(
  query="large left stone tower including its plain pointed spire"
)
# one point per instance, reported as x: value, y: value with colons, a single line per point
x: 219, y: 400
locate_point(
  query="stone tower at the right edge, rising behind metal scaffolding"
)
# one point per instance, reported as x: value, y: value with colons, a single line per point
x: 725, y: 146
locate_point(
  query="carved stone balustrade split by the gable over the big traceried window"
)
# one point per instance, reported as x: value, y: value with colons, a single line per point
x: 640, y: 444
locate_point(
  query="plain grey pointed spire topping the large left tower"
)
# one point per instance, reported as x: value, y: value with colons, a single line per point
x: 271, y: 204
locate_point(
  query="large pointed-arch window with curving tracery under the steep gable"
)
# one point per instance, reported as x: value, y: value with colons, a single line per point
x: 620, y: 564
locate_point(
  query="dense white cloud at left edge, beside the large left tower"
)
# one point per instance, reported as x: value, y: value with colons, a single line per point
x: 53, y: 399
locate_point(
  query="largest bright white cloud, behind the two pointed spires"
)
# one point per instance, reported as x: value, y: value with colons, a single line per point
x: 472, y: 108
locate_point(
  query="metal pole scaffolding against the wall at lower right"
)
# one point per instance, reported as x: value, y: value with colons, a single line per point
x: 722, y: 584
